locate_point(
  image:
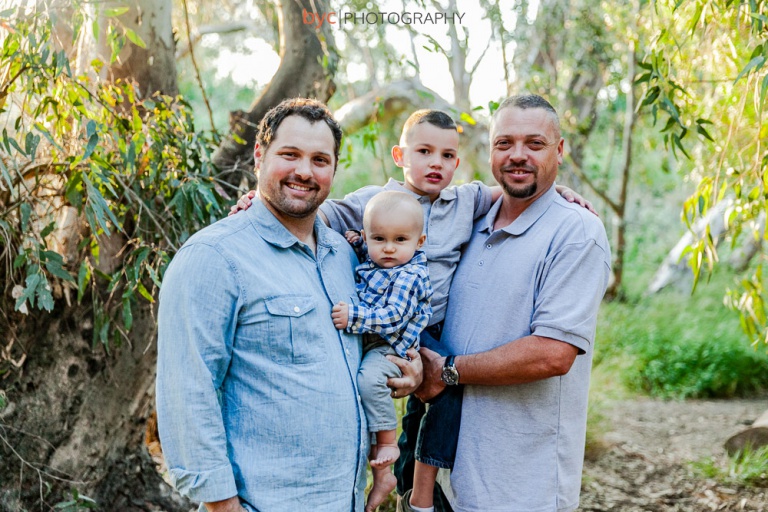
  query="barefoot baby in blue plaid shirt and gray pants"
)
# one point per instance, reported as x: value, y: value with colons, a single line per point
x: 394, y: 291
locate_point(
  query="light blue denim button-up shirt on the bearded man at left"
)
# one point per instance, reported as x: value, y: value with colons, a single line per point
x: 256, y: 389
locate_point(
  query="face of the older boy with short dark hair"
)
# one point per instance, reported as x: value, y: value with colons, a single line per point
x: 429, y: 158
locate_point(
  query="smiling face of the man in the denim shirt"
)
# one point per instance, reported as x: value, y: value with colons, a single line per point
x: 296, y: 171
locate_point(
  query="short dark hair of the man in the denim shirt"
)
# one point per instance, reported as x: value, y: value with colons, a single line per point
x: 311, y: 110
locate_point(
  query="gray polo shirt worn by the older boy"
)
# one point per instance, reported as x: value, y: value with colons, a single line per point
x: 447, y: 223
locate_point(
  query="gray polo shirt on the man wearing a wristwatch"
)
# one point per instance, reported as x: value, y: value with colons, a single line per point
x: 521, y: 448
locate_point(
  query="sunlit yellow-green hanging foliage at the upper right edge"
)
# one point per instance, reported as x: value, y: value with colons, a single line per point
x: 705, y: 82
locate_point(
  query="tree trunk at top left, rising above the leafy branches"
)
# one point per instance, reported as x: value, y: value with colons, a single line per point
x: 153, y: 68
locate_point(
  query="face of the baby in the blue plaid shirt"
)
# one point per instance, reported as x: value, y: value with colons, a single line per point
x: 393, y: 238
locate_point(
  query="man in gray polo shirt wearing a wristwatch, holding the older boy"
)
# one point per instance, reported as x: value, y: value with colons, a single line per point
x: 521, y: 321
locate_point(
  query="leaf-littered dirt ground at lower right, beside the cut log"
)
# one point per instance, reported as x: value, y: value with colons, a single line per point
x: 643, y: 463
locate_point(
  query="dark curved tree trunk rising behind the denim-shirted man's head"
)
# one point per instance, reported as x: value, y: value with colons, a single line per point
x: 308, y: 63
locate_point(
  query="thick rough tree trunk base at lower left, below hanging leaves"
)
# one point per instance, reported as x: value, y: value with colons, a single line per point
x: 74, y: 416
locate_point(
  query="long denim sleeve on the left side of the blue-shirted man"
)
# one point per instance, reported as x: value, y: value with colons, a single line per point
x: 196, y: 323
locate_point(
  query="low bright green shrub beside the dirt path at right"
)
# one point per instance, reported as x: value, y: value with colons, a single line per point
x: 675, y: 345
